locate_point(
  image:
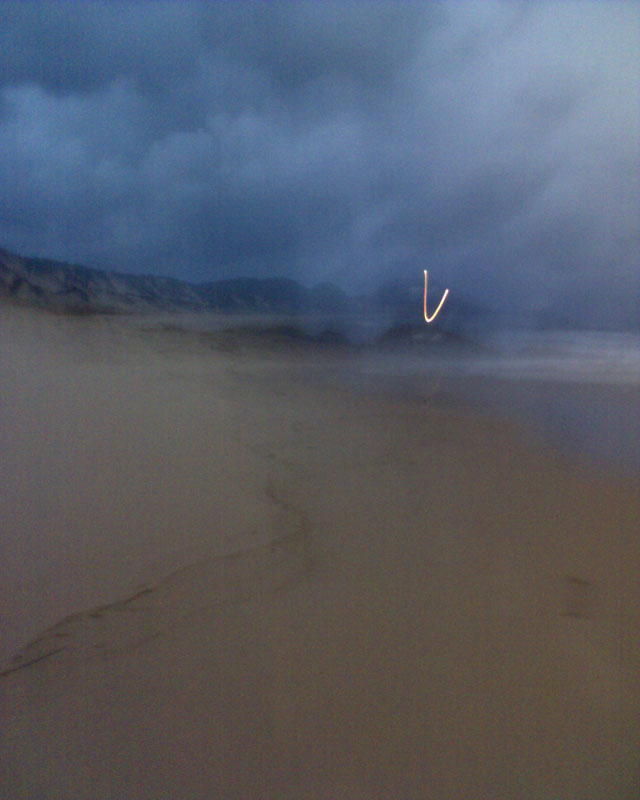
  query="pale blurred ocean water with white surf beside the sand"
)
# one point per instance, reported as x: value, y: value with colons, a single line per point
x: 580, y: 390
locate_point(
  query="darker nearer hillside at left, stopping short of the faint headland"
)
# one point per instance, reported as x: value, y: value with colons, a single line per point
x: 58, y: 286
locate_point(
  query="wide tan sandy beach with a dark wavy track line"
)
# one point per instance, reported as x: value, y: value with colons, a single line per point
x: 228, y: 573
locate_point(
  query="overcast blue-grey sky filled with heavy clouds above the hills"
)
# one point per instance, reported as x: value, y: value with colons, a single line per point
x: 495, y: 144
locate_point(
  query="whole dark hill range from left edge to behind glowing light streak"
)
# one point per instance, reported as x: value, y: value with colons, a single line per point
x: 392, y: 313
